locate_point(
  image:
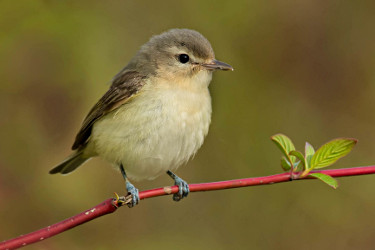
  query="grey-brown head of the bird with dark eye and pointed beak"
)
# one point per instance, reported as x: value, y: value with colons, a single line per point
x: 176, y: 55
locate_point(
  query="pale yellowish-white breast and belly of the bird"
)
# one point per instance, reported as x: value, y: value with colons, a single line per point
x: 155, y: 132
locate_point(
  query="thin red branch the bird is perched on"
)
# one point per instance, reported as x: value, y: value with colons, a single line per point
x: 111, y: 205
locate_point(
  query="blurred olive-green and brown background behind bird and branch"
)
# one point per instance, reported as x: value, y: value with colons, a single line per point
x: 303, y: 68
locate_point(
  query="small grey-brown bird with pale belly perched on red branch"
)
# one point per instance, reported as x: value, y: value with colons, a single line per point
x: 156, y: 113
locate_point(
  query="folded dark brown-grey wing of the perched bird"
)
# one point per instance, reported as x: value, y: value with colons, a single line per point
x: 125, y: 85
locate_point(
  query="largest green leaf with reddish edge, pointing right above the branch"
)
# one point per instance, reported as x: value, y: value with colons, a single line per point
x: 330, y: 152
